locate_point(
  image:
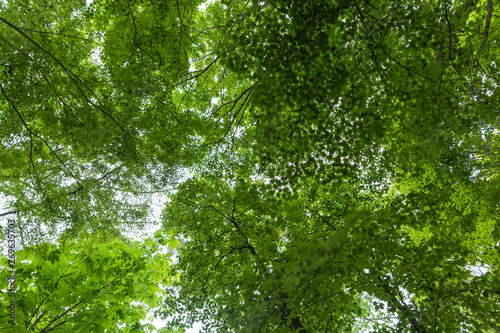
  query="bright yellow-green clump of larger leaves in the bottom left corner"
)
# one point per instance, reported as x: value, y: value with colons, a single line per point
x: 85, y: 286
